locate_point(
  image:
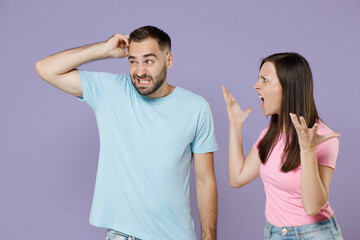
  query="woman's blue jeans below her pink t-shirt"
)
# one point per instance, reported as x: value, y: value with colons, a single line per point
x: 325, y: 230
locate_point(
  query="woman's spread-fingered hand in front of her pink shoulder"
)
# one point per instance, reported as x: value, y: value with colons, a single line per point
x: 309, y: 139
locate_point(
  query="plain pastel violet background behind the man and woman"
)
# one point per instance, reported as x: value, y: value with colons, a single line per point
x: 49, y: 140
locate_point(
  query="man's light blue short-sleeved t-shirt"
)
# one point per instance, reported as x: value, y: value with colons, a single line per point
x: 146, y: 145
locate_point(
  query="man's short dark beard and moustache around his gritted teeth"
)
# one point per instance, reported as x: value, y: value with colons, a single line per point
x: 156, y: 81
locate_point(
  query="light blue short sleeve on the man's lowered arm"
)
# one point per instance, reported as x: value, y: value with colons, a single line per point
x: 204, y: 140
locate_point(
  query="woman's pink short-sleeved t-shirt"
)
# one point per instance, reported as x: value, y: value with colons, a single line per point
x: 283, y: 190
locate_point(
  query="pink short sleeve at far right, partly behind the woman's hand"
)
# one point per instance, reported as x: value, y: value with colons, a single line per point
x: 327, y: 151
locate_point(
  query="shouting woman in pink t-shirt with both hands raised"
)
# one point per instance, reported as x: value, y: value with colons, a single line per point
x: 295, y: 155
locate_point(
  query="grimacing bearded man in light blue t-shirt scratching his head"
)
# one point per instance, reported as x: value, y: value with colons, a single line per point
x: 149, y: 130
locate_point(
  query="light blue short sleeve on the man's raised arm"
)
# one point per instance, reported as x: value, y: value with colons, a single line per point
x: 94, y: 85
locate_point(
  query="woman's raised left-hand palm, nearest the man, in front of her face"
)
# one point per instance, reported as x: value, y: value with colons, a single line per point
x: 235, y: 114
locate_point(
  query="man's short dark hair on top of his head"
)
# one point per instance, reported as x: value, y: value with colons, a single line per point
x: 145, y: 32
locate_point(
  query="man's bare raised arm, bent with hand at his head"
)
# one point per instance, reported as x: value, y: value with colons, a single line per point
x: 60, y: 70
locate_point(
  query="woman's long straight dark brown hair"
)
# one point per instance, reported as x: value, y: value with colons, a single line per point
x: 296, y: 80
